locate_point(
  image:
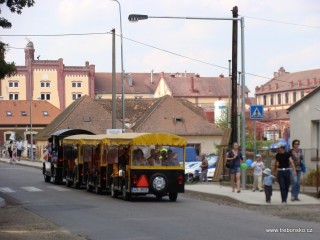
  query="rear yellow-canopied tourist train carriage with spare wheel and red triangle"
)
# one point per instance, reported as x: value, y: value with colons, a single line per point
x: 144, y: 163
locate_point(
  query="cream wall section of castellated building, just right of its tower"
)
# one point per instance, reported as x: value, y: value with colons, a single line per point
x: 50, y: 75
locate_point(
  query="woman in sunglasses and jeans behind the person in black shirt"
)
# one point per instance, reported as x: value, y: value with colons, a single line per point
x: 298, y: 160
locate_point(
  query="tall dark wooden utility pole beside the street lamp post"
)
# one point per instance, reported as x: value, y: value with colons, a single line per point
x: 234, y: 106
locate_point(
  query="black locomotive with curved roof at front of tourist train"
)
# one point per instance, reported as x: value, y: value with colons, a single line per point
x: 53, y: 165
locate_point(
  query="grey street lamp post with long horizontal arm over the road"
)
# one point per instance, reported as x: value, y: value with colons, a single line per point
x: 138, y: 17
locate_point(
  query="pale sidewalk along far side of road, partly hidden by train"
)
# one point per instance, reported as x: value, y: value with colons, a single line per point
x: 215, y: 189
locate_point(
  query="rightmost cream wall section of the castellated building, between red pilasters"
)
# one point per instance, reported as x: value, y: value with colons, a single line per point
x: 69, y: 90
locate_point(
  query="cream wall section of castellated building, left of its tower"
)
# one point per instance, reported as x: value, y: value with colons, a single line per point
x: 21, y: 89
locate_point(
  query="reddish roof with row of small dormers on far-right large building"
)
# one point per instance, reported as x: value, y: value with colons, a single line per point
x: 308, y: 79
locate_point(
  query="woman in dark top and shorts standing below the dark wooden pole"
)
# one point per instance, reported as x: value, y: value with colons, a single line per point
x: 236, y: 157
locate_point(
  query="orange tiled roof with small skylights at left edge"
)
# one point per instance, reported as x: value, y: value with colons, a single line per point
x: 16, y: 107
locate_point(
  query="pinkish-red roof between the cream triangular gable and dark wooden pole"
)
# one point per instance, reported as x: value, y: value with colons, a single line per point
x: 202, y: 86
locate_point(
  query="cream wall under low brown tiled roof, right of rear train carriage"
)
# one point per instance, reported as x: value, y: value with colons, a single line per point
x: 207, y: 142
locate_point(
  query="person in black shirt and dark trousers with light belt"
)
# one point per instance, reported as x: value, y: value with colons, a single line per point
x: 282, y: 171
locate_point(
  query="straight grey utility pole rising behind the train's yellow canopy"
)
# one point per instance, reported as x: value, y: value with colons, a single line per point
x: 114, y: 89
